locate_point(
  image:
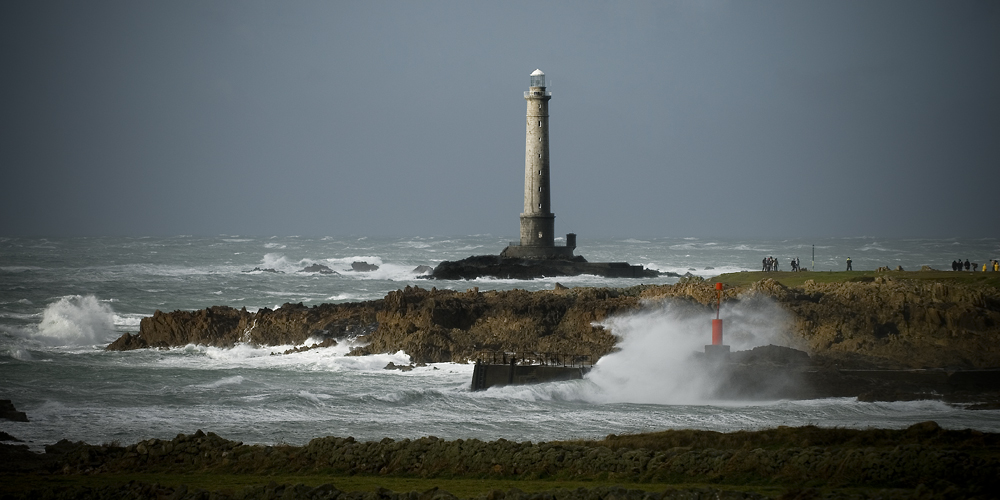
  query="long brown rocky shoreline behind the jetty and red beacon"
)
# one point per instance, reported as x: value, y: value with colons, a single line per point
x: 851, y: 330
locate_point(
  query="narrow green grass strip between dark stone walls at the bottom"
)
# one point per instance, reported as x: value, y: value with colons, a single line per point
x: 230, y: 483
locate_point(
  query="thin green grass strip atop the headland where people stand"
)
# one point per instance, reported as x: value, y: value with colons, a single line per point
x: 792, y: 279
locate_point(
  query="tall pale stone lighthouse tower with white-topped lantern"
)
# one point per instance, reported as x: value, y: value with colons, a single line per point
x: 537, y: 219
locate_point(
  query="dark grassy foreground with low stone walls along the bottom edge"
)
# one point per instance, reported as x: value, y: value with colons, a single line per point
x: 922, y: 461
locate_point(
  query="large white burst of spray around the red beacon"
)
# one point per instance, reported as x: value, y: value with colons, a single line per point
x: 658, y: 362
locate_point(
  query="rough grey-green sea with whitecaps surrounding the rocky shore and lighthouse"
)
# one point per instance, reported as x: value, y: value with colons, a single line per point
x: 62, y: 300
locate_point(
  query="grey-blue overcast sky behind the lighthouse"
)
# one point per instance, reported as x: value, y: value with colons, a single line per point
x: 709, y: 118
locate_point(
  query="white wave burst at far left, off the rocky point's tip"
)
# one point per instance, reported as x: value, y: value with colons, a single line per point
x: 76, y: 320
